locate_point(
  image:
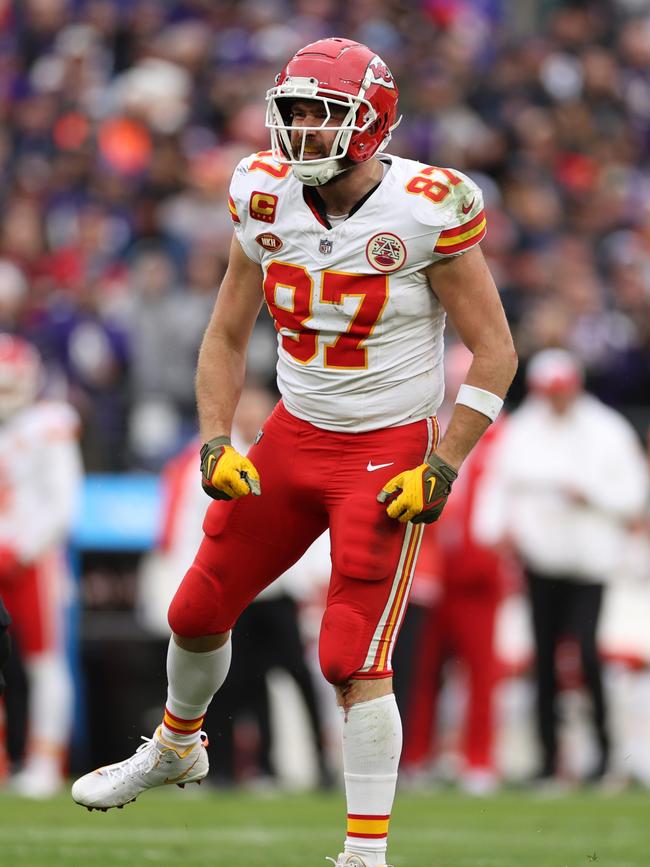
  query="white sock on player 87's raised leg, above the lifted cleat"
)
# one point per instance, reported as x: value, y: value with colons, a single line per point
x: 192, y: 678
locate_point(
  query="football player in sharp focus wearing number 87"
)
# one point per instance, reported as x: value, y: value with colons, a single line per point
x: 359, y: 256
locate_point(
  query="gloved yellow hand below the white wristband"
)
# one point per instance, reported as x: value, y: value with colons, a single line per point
x: 421, y: 492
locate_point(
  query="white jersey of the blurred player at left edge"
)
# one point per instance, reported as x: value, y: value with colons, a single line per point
x: 40, y: 478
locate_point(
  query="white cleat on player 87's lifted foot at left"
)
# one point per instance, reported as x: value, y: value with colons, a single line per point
x: 155, y: 763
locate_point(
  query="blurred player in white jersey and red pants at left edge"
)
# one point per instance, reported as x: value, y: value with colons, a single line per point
x: 40, y: 474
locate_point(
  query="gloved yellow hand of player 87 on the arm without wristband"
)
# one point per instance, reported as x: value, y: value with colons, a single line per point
x: 225, y: 474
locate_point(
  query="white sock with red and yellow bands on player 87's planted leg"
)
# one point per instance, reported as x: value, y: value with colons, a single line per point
x: 372, y: 744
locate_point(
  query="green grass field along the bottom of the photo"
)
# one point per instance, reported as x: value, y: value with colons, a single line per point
x: 196, y: 829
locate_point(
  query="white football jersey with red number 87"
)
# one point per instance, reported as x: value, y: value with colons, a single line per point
x: 360, y: 332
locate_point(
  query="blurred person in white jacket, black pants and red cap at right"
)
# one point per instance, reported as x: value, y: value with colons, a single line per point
x: 567, y: 480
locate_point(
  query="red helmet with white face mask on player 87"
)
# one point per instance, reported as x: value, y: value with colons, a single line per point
x: 338, y: 72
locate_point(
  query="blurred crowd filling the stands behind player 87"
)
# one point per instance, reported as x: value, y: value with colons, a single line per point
x: 121, y: 123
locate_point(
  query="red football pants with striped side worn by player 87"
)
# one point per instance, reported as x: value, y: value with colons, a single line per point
x: 313, y: 479
